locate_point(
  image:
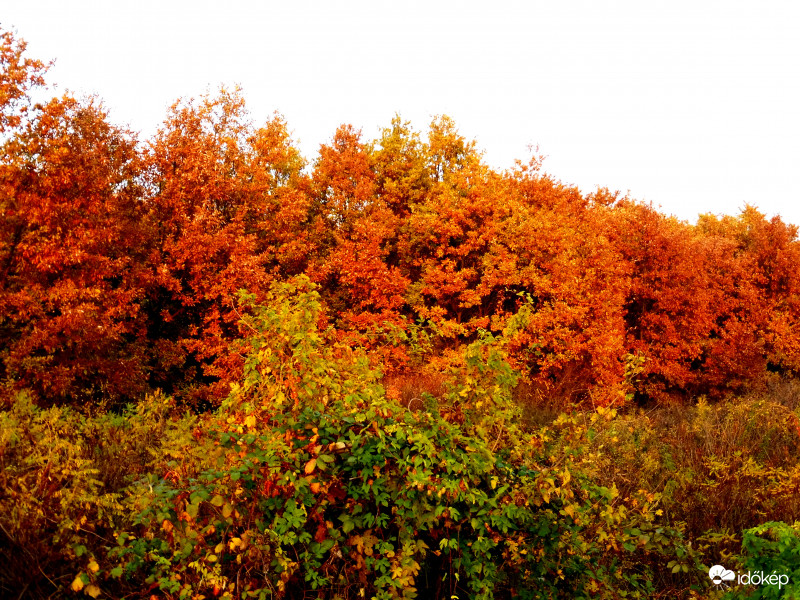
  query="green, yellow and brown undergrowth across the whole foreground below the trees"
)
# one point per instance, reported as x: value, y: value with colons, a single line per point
x: 317, y: 477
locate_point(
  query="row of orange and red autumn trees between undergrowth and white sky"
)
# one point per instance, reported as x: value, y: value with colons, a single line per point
x: 121, y: 259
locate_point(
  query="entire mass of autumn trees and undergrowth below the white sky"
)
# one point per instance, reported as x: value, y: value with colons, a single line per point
x: 388, y: 372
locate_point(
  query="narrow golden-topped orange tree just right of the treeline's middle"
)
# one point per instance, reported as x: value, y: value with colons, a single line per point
x: 442, y: 240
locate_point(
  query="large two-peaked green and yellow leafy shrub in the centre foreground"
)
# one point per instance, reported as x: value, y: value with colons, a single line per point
x: 315, y: 483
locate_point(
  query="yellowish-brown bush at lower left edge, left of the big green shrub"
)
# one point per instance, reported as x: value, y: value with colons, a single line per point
x: 63, y: 477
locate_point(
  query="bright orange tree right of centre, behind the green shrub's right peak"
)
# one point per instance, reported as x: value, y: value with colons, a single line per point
x: 562, y: 262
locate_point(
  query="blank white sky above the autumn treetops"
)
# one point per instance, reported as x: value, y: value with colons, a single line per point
x: 693, y: 105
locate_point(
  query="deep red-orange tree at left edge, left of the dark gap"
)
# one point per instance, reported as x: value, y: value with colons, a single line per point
x: 70, y: 271
